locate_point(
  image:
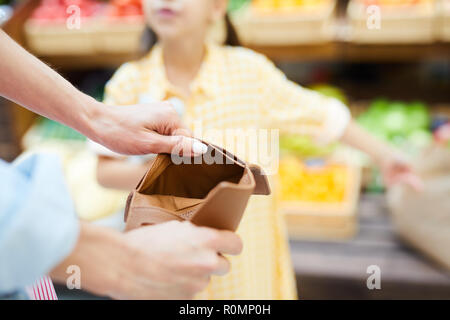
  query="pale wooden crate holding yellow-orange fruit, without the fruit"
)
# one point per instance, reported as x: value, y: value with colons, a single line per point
x: 325, y: 221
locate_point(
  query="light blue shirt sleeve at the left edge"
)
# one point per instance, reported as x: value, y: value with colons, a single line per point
x: 38, y: 224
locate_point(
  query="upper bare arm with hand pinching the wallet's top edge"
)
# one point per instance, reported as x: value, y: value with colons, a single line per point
x: 151, y: 128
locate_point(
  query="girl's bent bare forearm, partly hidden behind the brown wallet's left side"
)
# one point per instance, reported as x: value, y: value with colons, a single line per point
x: 118, y: 174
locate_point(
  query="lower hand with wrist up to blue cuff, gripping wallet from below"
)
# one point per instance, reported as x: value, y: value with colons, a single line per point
x: 168, y: 261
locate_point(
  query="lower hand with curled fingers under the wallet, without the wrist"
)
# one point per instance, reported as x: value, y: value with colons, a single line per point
x: 175, y: 260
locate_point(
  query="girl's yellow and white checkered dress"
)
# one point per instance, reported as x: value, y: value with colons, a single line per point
x: 237, y: 88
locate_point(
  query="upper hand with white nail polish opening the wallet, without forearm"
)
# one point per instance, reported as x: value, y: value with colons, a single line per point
x: 142, y: 129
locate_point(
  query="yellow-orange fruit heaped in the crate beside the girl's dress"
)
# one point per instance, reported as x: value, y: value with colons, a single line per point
x: 323, y: 183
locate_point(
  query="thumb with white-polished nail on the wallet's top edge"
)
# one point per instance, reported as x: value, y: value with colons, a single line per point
x: 179, y: 145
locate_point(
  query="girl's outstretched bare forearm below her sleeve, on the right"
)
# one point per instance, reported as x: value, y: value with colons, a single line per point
x: 359, y: 138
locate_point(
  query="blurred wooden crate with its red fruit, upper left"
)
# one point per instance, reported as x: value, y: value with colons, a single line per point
x: 112, y: 27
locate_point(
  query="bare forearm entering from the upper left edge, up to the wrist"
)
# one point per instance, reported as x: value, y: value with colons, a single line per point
x: 32, y: 84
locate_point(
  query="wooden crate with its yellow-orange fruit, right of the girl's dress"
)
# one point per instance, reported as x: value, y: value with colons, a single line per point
x: 319, y: 201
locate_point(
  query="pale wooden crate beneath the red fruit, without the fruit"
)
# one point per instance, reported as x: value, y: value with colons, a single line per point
x: 96, y: 36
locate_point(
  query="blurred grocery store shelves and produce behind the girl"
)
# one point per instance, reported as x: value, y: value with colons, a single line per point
x: 393, y: 73
